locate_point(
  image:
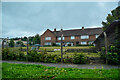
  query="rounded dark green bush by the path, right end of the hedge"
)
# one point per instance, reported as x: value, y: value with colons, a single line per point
x: 79, y: 59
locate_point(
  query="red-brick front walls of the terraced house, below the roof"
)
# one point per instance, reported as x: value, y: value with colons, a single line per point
x: 54, y: 39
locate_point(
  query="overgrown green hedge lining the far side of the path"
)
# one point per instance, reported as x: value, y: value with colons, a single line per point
x: 34, y: 56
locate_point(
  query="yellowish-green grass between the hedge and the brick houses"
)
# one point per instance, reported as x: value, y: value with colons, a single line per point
x: 67, y: 53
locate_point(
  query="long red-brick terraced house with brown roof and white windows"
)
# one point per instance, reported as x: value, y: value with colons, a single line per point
x: 73, y: 37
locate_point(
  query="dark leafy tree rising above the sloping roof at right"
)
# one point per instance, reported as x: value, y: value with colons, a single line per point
x: 115, y: 15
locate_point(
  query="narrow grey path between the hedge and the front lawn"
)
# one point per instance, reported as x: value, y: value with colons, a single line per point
x: 66, y: 65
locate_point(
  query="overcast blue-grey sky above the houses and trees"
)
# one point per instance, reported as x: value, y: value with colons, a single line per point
x: 29, y: 18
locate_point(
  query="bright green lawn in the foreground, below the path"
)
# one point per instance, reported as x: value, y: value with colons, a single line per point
x: 39, y: 71
